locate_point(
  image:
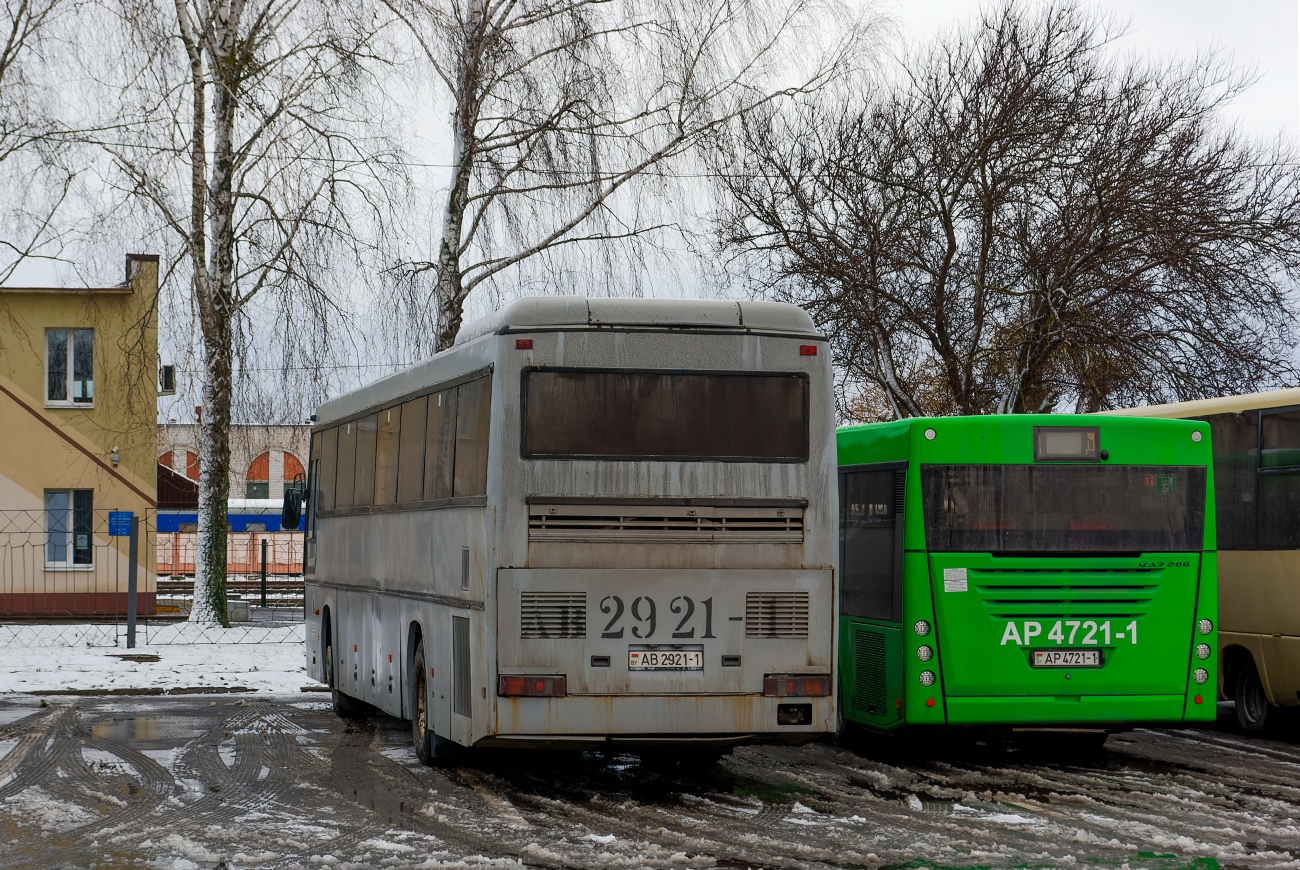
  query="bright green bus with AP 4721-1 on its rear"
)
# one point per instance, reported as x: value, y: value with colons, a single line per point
x: 1028, y: 572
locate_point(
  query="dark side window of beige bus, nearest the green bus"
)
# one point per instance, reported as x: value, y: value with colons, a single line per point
x: 1236, y: 458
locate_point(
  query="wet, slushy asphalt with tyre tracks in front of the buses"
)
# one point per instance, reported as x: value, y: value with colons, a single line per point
x: 281, y: 782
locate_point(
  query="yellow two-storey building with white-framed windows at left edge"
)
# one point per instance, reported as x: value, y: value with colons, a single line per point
x: 79, y: 442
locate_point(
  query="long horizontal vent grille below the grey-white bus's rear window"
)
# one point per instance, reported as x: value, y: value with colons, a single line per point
x: 669, y: 525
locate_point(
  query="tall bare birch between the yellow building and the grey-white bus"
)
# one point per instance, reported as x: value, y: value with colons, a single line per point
x: 245, y: 138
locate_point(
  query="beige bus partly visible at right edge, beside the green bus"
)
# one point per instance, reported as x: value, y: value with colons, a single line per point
x: 1256, y: 442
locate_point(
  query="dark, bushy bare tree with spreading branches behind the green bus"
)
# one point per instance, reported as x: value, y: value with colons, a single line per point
x: 1026, y: 222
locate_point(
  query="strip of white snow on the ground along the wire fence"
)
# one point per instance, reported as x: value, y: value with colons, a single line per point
x: 189, y: 659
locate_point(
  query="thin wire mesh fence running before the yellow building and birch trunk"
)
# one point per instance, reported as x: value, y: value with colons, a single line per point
x: 70, y: 570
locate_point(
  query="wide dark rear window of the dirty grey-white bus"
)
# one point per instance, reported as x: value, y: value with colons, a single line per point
x: 666, y: 415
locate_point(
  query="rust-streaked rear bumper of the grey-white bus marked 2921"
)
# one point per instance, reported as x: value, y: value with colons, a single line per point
x: 713, y: 718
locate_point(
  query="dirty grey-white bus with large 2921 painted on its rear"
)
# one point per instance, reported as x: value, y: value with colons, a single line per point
x: 590, y: 523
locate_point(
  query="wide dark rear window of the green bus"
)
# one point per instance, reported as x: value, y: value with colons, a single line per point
x: 1059, y: 509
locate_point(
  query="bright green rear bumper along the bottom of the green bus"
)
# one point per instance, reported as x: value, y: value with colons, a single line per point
x: 1086, y: 709
